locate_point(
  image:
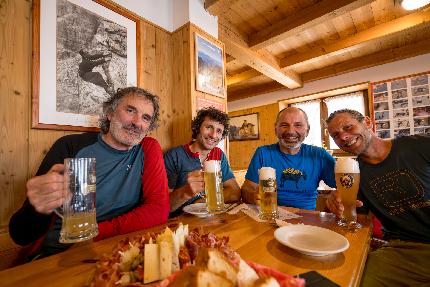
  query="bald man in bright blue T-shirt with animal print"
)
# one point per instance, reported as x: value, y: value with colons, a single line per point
x: 299, y: 167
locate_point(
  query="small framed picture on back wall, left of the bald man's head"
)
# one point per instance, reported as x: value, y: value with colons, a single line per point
x: 244, y: 127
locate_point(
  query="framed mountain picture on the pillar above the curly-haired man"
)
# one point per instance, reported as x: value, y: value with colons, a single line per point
x: 210, y: 77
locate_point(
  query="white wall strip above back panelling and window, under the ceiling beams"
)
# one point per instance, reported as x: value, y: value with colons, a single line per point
x: 378, y: 73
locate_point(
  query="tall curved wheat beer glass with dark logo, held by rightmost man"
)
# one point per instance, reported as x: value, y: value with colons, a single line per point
x: 347, y: 174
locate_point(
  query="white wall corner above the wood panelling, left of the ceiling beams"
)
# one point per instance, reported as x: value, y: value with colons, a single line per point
x: 172, y: 14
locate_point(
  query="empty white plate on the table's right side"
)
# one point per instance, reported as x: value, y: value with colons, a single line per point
x: 311, y: 240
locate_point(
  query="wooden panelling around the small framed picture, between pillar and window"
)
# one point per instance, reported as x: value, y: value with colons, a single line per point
x: 241, y: 152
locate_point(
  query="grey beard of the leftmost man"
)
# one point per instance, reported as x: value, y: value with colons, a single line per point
x: 128, y: 135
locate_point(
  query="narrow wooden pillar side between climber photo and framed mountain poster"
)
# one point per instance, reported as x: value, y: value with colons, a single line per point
x: 181, y: 91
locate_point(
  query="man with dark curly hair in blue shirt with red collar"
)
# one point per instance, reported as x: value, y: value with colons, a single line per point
x: 184, y: 163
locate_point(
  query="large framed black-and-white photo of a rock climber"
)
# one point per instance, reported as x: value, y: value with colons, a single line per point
x: 94, y: 51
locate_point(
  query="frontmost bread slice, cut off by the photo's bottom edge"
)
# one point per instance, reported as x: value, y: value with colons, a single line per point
x: 198, y: 277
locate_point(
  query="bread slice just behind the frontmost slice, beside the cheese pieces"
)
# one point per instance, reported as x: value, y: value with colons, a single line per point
x: 216, y: 262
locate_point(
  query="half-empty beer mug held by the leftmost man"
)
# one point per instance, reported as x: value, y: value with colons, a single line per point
x: 78, y: 212
